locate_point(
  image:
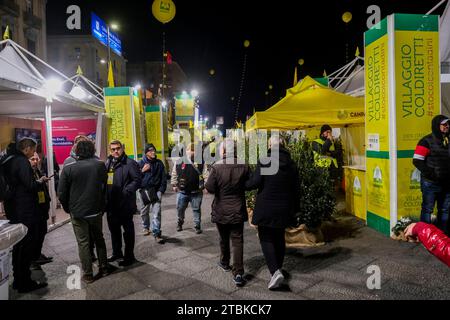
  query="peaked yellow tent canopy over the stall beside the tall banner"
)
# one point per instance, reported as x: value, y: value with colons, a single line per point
x: 307, y: 104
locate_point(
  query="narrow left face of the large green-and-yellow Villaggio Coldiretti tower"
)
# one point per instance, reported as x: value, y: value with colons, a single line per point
x: 377, y: 127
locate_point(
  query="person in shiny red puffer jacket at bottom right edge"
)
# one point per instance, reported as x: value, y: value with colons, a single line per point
x: 434, y: 240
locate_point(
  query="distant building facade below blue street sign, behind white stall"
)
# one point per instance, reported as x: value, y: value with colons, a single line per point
x: 66, y: 53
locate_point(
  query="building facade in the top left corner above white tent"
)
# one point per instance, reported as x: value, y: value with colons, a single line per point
x: 27, y: 24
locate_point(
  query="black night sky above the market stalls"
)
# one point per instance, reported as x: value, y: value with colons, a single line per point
x: 209, y: 35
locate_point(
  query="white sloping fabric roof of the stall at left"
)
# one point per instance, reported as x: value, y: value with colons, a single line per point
x: 23, y: 87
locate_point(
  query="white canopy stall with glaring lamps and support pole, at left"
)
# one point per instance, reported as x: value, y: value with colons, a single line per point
x: 31, y: 91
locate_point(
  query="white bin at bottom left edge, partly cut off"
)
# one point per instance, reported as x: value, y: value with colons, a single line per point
x: 10, y: 234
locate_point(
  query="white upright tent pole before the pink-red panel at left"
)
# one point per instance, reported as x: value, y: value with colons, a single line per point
x: 49, y: 155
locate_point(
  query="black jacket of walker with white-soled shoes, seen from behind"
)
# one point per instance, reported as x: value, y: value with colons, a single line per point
x: 277, y: 198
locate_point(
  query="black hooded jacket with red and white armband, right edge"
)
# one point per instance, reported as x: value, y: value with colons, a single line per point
x: 432, y: 156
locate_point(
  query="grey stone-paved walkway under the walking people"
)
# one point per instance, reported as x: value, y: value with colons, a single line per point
x: 185, y: 267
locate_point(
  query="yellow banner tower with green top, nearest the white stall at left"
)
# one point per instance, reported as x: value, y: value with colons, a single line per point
x: 121, y: 118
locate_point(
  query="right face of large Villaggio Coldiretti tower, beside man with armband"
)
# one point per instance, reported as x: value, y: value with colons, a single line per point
x: 417, y: 84
